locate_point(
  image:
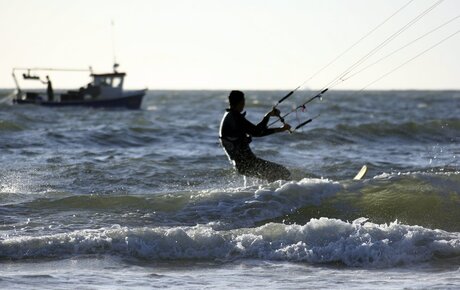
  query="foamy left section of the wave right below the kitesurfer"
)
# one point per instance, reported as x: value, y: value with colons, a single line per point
x: 229, y: 208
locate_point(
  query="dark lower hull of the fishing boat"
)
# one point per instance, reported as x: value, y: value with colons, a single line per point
x: 131, y: 101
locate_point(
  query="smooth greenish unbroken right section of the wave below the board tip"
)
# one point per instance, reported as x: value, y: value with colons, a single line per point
x: 428, y: 199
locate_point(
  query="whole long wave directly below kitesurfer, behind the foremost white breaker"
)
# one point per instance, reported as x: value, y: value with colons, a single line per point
x: 431, y: 200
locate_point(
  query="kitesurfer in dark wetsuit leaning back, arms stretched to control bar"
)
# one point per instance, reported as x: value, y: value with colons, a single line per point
x: 235, y: 135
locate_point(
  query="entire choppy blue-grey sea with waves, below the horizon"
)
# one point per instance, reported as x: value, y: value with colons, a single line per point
x: 144, y: 199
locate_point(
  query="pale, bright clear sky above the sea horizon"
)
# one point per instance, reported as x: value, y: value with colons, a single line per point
x: 231, y: 44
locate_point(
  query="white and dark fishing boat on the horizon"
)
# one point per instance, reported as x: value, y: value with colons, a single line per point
x: 105, y: 90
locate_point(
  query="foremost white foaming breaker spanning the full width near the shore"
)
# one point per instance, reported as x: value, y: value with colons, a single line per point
x: 357, y: 244
